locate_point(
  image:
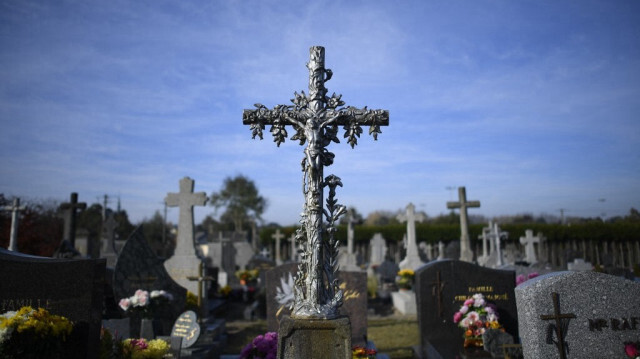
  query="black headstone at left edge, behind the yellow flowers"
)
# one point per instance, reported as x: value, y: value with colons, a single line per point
x: 71, y: 288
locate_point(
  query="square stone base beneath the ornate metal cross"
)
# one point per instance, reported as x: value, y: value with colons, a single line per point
x: 314, y: 338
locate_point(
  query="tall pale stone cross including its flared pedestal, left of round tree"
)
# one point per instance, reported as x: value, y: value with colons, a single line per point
x: 184, y: 262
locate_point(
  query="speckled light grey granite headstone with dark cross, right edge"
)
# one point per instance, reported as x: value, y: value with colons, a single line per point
x: 578, y: 315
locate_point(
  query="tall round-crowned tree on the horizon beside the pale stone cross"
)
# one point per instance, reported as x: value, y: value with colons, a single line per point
x: 241, y: 200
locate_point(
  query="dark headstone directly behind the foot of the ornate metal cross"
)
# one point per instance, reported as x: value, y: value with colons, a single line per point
x: 279, y: 291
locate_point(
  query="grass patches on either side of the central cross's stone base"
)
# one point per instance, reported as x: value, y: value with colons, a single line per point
x: 392, y: 336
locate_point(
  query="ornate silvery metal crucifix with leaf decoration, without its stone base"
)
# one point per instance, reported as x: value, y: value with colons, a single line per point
x: 315, y: 118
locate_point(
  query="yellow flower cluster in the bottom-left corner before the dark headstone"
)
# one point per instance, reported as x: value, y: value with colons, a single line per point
x: 33, y: 333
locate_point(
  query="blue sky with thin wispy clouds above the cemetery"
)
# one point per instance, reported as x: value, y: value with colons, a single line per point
x: 532, y: 105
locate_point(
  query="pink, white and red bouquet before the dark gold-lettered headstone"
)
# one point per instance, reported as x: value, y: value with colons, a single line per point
x: 475, y: 316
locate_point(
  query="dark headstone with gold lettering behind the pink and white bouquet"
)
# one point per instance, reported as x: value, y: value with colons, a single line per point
x: 441, y: 289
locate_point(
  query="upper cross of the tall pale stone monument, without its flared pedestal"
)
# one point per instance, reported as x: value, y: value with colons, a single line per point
x: 186, y: 199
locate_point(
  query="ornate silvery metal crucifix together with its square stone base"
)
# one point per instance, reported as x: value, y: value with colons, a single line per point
x: 315, y: 118
